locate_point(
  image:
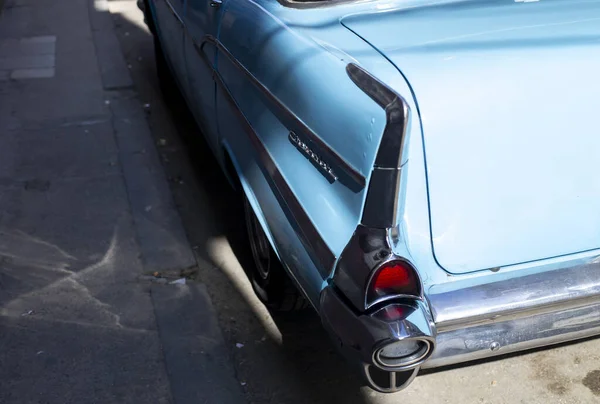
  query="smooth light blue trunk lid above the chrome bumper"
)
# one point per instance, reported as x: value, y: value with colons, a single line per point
x: 508, y: 95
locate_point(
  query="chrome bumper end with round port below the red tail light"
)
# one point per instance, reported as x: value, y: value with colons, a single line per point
x: 389, y: 345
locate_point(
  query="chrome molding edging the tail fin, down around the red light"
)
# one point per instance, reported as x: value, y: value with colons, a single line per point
x: 370, y: 244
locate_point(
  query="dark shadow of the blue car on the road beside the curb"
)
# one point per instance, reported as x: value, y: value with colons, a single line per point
x: 285, y: 358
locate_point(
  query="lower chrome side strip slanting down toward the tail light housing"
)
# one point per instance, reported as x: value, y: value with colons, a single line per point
x: 319, y: 252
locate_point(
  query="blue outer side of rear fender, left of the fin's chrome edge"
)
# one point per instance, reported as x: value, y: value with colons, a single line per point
x: 307, y: 74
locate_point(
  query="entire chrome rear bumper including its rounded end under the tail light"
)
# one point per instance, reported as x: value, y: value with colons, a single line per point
x: 482, y: 317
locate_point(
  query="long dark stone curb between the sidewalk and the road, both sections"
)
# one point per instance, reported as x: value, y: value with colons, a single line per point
x: 198, y: 364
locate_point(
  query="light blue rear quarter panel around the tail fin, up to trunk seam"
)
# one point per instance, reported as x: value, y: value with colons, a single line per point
x: 300, y: 55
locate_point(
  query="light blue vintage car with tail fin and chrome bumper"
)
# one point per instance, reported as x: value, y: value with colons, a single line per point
x: 425, y: 172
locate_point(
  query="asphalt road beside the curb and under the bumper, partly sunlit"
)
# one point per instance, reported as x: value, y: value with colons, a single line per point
x: 288, y: 359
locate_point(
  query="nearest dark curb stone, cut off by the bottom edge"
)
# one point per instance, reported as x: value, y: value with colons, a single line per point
x: 198, y: 362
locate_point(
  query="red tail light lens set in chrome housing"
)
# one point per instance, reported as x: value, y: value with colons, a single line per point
x: 394, y: 278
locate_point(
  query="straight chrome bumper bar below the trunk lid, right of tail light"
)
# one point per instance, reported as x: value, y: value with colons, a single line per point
x: 503, y: 316
